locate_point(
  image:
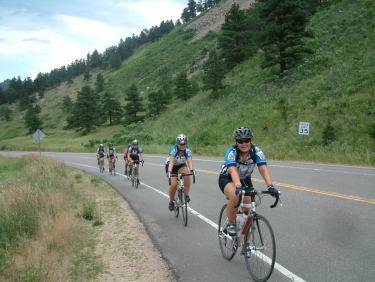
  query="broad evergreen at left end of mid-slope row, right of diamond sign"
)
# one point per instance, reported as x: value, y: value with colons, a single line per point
x: 85, y: 112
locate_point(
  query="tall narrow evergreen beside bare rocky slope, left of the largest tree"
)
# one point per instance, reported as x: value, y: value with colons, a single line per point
x: 232, y: 40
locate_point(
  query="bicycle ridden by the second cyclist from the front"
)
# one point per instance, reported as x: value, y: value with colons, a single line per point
x: 180, y: 196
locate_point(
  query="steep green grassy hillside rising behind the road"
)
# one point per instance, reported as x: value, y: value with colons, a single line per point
x: 333, y: 89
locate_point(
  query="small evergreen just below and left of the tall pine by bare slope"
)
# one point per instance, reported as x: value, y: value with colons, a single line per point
x: 213, y: 73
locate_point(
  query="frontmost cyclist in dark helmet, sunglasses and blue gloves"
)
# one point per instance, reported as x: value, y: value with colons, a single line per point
x: 239, y: 162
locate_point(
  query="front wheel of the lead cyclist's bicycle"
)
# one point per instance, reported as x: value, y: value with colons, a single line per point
x: 263, y: 249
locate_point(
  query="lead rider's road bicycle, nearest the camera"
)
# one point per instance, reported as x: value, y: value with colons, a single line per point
x: 254, y: 235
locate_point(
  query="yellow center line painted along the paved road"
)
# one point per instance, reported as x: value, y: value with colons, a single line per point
x: 300, y: 188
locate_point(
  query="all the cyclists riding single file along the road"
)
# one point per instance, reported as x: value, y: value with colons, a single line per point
x: 235, y: 174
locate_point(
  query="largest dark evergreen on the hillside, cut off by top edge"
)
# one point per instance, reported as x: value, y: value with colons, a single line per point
x: 282, y: 39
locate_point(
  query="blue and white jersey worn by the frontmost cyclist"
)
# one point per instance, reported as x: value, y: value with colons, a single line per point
x: 245, y: 169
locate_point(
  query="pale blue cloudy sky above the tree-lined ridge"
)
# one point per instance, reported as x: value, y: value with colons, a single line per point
x: 40, y: 35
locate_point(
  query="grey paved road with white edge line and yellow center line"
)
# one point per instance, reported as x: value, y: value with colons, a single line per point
x: 324, y: 230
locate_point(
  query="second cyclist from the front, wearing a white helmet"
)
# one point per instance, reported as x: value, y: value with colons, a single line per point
x: 179, y: 161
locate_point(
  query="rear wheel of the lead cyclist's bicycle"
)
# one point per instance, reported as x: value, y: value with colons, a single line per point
x: 228, y: 245
